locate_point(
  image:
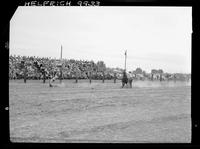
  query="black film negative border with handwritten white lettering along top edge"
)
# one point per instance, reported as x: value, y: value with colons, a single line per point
x: 10, y: 9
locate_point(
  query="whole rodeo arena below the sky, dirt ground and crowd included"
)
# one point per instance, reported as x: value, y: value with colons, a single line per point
x: 68, y: 100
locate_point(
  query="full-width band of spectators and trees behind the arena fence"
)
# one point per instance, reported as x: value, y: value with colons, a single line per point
x: 37, y: 68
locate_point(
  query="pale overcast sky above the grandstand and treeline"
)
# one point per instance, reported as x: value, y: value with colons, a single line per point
x: 154, y: 37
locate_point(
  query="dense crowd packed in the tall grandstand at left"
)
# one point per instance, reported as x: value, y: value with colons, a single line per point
x: 35, y: 68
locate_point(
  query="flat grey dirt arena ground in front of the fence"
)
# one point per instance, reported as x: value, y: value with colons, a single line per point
x: 150, y: 112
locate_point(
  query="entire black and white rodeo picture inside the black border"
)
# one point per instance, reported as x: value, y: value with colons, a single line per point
x: 119, y: 74
